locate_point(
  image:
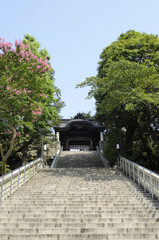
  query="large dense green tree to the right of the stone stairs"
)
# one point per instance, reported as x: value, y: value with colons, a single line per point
x: 126, y: 90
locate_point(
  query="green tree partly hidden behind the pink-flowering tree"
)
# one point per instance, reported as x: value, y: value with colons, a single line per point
x: 52, y: 103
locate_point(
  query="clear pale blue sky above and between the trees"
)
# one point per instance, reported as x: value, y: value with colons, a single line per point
x: 75, y: 32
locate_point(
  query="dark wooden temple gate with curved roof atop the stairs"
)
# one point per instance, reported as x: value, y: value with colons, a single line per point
x: 79, y: 133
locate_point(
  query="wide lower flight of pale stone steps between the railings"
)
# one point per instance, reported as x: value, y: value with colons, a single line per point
x: 86, y: 203
